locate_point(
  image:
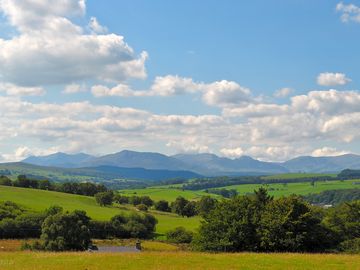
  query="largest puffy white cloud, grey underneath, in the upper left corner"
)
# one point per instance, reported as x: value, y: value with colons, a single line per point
x: 50, y: 49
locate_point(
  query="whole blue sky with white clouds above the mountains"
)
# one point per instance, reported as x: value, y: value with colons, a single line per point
x: 269, y: 79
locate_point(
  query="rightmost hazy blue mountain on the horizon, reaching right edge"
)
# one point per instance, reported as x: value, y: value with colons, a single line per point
x: 323, y: 164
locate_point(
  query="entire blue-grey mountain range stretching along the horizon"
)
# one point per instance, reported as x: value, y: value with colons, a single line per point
x: 201, y: 164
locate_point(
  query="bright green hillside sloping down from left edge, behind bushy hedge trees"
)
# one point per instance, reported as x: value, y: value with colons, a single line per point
x: 39, y: 200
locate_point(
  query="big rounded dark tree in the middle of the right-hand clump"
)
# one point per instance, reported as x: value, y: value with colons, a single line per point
x: 290, y: 225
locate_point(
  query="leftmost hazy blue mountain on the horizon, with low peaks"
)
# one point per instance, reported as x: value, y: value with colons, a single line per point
x: 59, y: 160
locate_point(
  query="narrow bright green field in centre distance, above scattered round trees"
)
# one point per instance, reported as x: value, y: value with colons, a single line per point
x: 166, y: 193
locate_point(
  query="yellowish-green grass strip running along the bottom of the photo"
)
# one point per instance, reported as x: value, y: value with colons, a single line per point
x: 175, y: 260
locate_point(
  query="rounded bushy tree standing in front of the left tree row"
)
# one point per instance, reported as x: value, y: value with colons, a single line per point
x: 66, y: 231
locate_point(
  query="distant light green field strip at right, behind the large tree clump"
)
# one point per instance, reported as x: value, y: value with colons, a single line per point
x: 305, y: 188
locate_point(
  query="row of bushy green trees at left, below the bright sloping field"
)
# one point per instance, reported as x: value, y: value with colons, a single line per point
x: 60, y: 230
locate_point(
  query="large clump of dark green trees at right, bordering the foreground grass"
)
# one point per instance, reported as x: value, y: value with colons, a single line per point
x: 260, y: 223
